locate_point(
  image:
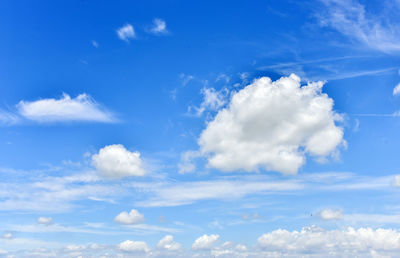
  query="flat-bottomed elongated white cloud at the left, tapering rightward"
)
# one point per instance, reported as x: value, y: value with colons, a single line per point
x: 81, y: 108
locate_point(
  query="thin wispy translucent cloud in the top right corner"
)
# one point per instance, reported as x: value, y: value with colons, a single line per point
x: 378, y: 31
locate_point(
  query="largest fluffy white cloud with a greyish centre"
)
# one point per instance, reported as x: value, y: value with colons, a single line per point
x: 272, y: 125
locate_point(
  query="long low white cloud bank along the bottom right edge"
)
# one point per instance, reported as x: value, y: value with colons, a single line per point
x: 317, y: 241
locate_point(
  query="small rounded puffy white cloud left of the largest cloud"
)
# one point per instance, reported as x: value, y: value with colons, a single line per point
x: 114, y: 161
